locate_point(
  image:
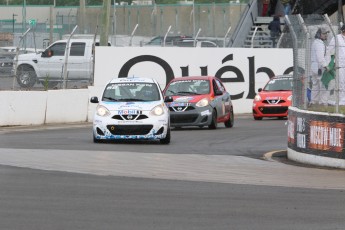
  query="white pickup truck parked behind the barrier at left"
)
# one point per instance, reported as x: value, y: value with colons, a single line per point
x: 48, y: 66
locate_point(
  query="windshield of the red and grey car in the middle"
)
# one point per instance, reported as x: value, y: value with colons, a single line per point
x: 188, y: 87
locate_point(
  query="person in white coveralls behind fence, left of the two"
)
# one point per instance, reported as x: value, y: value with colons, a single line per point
x: 319, y: 94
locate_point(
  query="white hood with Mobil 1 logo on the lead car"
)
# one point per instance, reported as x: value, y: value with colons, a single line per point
x: 133, y: 105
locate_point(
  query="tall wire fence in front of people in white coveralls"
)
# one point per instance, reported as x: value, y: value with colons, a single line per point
x: 319, y: 77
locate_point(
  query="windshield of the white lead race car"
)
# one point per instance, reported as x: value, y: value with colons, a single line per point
x: 131, y: 91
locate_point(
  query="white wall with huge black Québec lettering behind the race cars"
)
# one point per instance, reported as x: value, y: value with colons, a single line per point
x: 110, y: 61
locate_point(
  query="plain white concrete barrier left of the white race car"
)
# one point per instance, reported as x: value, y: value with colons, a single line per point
x: 43, y: 107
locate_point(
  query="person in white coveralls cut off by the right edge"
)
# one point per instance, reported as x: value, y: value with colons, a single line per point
x: 331, y: 51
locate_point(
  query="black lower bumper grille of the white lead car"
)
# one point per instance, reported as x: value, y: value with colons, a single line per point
x: 129, y: 129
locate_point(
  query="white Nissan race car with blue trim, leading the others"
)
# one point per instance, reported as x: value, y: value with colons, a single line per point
x: 131, y: 108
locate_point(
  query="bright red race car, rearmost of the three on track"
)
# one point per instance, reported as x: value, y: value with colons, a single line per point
x: 274, y: 99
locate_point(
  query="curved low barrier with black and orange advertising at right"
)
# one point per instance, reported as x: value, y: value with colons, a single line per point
x: 316, y: 138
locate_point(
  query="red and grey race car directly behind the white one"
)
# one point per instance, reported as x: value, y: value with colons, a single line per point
x: 199, y: 101
